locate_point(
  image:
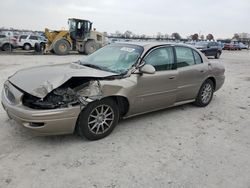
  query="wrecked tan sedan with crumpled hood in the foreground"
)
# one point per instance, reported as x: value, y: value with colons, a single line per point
x: 118, y: 81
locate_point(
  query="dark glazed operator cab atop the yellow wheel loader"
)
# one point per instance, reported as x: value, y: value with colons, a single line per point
x: 79, y: 29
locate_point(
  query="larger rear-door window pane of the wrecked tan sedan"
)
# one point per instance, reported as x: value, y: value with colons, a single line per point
x: 184, y: 56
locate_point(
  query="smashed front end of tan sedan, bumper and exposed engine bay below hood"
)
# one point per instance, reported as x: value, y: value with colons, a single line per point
x: 56, y: 113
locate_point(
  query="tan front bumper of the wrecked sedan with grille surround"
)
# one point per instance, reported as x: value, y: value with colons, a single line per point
x: 43, y: 122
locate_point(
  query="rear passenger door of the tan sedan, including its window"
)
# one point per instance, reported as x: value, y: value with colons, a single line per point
x: 191, y: 73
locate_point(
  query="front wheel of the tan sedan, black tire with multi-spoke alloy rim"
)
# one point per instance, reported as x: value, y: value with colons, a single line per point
x: 94, y: 126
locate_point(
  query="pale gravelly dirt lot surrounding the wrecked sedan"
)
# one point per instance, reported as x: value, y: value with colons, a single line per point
x: 179, y: 147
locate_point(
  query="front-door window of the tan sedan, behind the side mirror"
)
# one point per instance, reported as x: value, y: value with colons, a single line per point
x: 161, y: 58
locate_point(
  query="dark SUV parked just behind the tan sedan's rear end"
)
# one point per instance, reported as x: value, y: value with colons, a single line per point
x: 210, y: 48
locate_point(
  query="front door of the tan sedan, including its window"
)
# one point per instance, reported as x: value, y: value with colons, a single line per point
x: 156, y: 91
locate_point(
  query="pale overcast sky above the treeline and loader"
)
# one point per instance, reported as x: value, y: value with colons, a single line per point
x: 222, y: 18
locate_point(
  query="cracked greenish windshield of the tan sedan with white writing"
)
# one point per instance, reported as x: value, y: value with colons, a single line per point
x: 118, y: 58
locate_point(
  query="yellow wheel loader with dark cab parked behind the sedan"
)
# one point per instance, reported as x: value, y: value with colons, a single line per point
x: 80, y: 37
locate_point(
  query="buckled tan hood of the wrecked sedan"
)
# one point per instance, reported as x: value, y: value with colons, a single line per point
x: 39, y: 81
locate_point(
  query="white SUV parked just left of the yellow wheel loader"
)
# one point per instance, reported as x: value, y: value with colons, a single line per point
x: 27, y: 42
